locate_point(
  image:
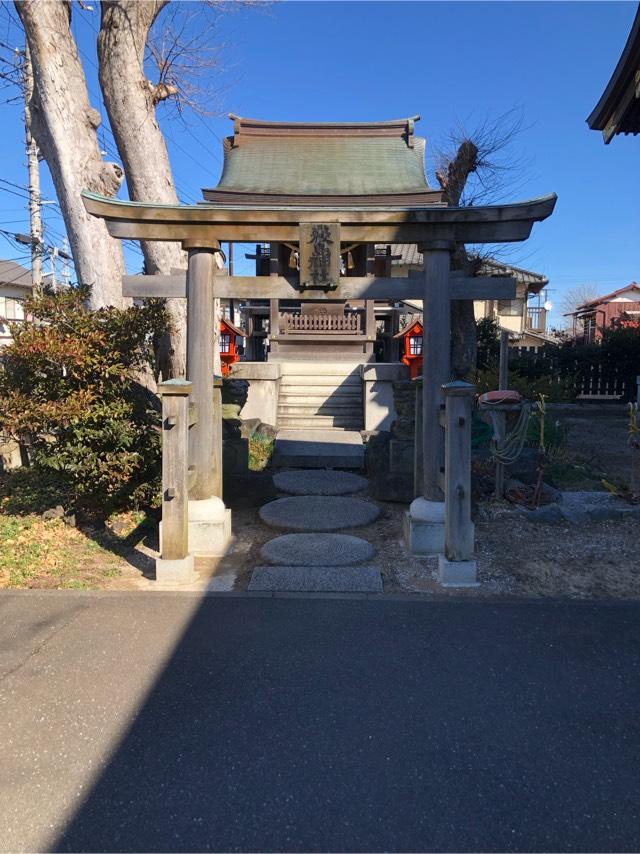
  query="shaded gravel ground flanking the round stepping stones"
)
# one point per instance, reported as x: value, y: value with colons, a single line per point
x: 515, y: 557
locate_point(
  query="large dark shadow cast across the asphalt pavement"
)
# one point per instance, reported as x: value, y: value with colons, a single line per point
x: 375, y: 725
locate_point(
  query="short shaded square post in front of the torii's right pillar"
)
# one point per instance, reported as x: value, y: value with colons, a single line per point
x: 457, y: 566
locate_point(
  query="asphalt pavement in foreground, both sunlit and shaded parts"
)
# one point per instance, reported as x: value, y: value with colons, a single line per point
x: 166, y: 722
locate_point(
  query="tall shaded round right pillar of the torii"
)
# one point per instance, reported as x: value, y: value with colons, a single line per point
x: 424, y: 523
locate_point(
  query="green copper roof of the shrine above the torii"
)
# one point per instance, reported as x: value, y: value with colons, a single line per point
x: 323, y: 159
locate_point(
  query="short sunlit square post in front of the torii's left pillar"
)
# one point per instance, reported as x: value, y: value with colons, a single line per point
x: 175, y: 564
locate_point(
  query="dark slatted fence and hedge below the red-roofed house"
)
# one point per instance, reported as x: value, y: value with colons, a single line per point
x: 589, y: 370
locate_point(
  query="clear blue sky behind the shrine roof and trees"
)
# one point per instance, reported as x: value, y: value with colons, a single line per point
x: 449, y: 62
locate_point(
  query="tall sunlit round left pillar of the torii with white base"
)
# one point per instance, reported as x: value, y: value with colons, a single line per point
x: 209, y: 521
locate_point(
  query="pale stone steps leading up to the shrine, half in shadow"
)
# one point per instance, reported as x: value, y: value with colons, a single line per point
x: 320, y: 396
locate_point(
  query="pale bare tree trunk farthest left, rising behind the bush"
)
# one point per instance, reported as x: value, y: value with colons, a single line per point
x: 64, y: 126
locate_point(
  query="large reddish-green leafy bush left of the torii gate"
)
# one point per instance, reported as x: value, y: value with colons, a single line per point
x: 70, y: 390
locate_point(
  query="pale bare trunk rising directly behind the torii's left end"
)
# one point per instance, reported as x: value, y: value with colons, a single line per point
x: 131, y: 100
